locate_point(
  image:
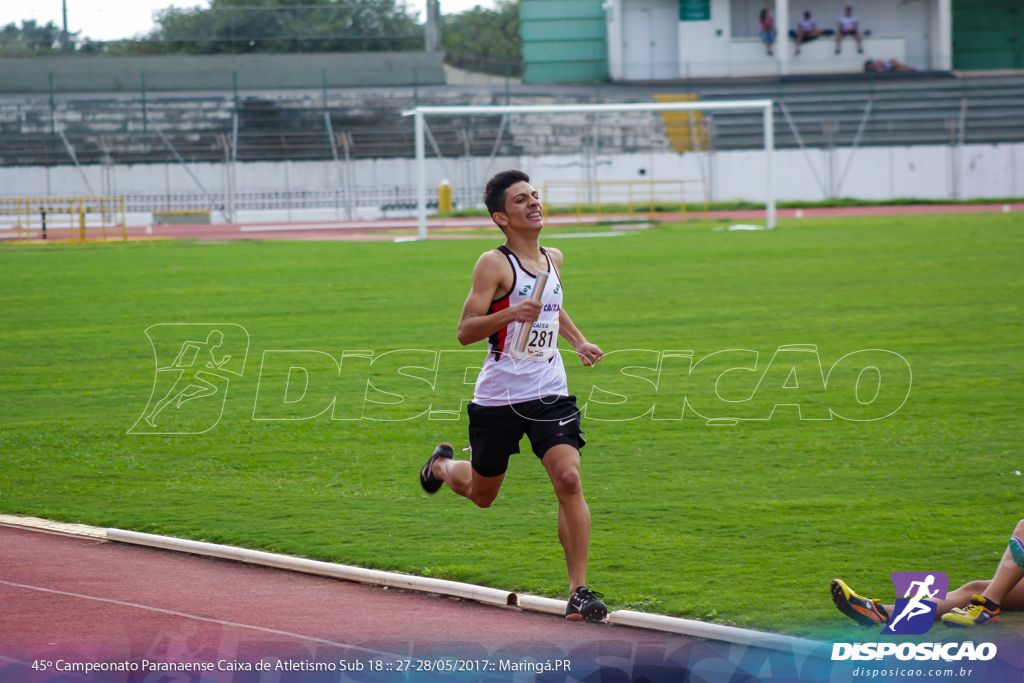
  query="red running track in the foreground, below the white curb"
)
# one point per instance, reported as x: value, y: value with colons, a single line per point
x: 87, y: 601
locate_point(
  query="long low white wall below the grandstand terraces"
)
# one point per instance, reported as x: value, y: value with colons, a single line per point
x: 974, y: 172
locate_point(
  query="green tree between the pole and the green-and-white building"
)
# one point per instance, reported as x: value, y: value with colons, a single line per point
x: 485, y: 39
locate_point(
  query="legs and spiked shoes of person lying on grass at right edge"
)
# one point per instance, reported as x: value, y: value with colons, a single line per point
x: 973, y: 604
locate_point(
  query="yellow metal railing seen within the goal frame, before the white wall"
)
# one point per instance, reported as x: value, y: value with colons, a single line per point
x: 632, y: 194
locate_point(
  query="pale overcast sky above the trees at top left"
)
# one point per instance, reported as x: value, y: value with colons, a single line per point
x: 111, y: 20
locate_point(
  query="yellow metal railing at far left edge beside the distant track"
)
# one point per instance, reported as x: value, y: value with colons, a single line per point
x: 71, y: 219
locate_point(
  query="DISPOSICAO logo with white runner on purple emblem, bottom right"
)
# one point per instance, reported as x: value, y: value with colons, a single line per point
x: 914, y: 615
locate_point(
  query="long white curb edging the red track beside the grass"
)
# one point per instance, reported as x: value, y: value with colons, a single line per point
x: 492, y: 596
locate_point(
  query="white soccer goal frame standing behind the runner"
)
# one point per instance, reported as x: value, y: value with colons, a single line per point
x: 421, y: 113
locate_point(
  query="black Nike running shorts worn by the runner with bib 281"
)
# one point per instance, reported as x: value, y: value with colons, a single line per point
x: 495, y: 432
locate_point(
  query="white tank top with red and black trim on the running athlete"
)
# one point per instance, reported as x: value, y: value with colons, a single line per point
x: 504, y: 380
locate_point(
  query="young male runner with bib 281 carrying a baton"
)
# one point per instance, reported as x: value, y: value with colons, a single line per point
x: 523, y: 397
